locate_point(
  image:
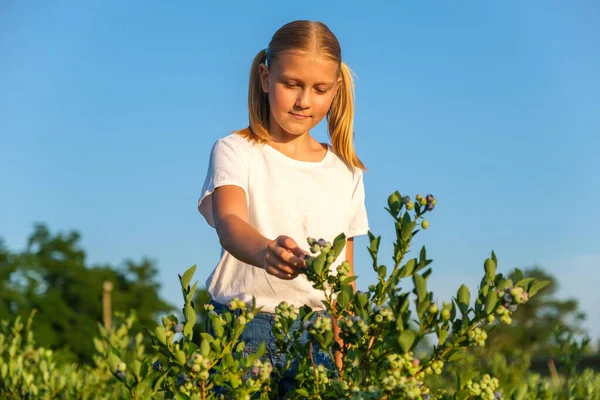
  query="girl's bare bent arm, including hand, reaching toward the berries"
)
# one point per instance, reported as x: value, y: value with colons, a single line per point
x: 280, y: 257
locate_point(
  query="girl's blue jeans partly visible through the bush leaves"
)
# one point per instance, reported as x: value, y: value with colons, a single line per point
x: 260, y: 329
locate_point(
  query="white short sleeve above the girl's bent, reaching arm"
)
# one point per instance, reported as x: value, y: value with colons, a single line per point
x: 227, y: 166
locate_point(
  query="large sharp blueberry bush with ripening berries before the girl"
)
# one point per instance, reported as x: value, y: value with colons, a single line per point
x: 378, y: 330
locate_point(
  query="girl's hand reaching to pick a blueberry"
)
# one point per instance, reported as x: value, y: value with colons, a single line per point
x: 284, y: 258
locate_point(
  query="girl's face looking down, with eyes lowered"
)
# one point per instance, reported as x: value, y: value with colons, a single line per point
x: 301, y: 86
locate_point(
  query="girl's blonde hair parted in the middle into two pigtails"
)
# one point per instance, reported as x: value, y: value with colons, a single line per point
x: 302, y: 35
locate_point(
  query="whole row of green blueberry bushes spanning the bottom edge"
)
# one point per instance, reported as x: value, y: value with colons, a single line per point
x: 375, y: 334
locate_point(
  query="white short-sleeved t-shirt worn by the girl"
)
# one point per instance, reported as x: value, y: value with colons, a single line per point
x: 285, y: 197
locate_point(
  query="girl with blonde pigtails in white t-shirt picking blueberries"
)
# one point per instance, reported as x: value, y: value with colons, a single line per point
x: 272, y: 185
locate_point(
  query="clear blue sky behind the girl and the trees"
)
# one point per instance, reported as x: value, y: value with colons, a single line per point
x: 108, y: 112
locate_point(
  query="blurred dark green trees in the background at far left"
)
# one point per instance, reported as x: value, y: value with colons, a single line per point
x: 51, y: 275
